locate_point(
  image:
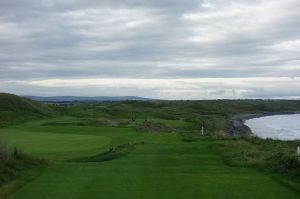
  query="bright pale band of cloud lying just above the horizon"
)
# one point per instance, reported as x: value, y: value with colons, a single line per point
x: 199, y: 88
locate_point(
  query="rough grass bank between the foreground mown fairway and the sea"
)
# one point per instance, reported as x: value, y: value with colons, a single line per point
x: 271, y: 156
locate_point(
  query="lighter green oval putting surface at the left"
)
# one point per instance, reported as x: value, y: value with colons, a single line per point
x: 51, y: 144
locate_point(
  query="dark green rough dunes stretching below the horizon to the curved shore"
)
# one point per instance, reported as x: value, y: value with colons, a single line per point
x: 213, y: 115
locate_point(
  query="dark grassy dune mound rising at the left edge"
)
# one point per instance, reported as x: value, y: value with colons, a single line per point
x: 14, y: 109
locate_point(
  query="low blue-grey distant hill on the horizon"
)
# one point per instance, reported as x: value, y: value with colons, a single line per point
x: 81, y: 98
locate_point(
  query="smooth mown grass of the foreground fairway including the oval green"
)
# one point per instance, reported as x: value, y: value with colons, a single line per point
x: 164, y: 167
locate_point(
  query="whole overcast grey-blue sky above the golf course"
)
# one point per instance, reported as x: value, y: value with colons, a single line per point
x: 169, y: 49
